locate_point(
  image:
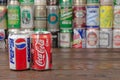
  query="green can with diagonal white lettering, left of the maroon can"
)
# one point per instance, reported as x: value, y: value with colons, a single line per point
x: 66, y: 17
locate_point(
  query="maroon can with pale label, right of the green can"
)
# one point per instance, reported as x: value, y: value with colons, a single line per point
x: 79, y: 16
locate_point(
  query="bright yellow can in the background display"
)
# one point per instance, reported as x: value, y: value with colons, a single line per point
x: 106, y: 17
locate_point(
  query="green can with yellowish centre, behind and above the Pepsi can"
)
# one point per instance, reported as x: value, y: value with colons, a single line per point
x: 13, y: 16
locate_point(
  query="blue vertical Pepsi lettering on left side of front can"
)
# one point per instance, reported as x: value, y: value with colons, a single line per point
x: 11, y: 47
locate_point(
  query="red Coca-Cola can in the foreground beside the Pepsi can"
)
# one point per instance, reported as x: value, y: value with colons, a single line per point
x: 41, y: 50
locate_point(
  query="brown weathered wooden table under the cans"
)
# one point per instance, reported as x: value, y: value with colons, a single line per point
x: 70, y: 64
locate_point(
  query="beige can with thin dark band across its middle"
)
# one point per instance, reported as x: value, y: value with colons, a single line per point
x: 40, y: 17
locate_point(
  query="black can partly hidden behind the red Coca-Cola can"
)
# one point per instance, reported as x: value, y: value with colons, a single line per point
x: 55, y: 39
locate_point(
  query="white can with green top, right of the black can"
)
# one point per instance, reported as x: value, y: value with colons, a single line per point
x: 65, y: 40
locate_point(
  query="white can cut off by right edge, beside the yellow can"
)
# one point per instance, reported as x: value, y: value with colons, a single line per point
x: 116, y: 23
